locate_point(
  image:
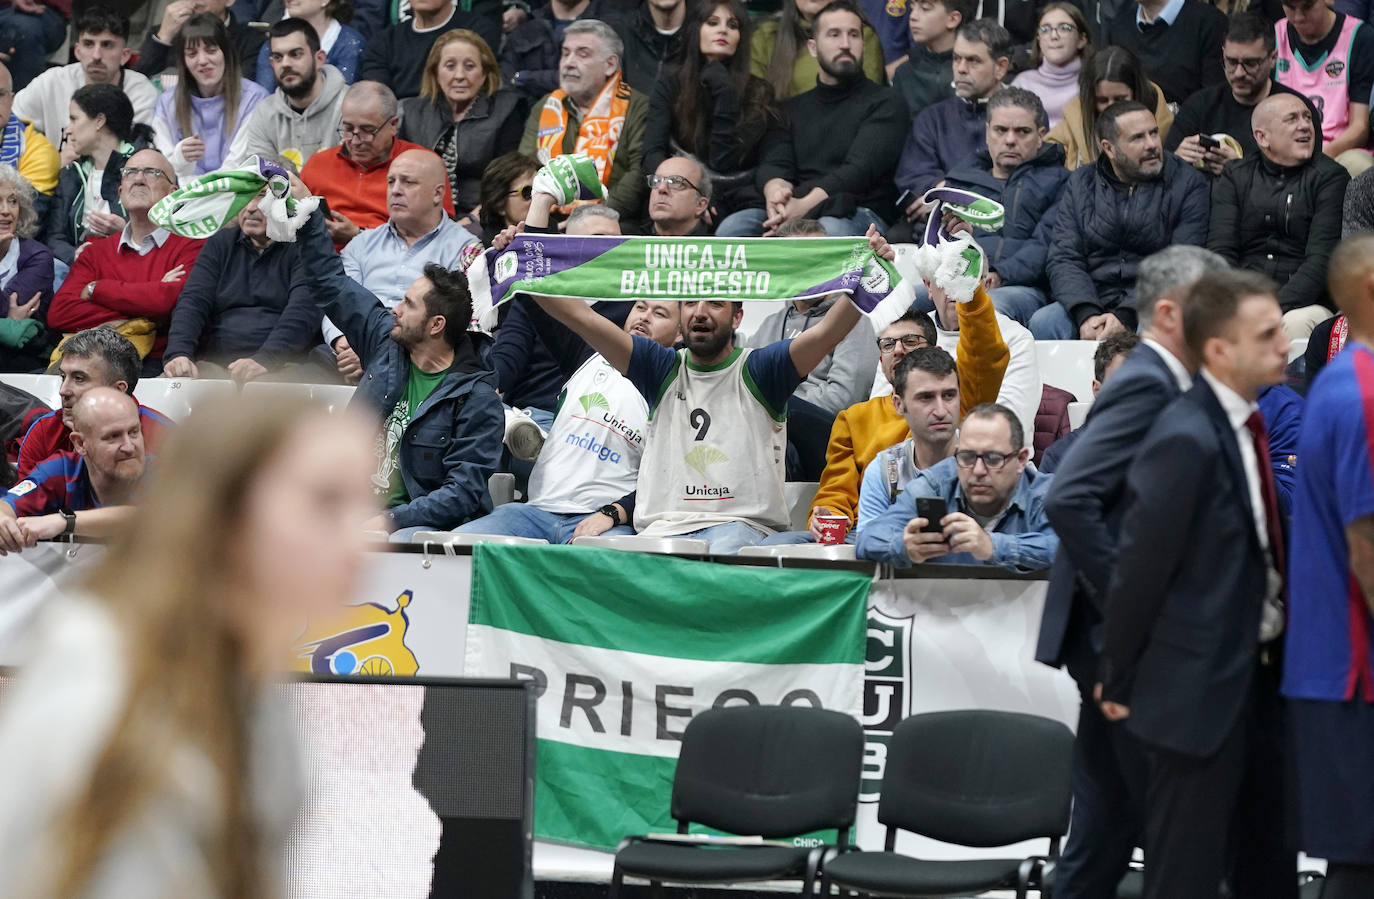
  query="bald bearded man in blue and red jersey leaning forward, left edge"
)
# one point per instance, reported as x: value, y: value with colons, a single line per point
x: 89, y: 490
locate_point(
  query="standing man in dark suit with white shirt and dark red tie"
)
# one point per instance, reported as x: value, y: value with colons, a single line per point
x: 1195, y: 612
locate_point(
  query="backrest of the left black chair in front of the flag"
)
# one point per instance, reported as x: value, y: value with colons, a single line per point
x: 770, y: 770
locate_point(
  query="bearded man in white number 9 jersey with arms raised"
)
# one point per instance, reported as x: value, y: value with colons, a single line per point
x: 714, y: 463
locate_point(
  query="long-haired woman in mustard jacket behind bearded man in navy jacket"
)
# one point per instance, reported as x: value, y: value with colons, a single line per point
x: 1111, y: 76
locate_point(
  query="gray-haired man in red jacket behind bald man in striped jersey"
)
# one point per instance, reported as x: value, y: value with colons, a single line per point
x: 95, y: 358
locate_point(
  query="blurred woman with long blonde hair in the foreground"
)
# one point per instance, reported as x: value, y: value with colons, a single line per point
x: 141, y: 753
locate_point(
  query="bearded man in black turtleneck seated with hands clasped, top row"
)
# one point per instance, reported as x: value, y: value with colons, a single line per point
x: 832, y: 155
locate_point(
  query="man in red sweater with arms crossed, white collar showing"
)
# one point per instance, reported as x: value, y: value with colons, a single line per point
x: 134, y: 277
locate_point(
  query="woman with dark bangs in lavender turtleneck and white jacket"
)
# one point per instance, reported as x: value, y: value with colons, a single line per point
x: 197, y: 120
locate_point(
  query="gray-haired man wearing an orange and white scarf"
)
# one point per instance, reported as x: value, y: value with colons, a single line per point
x: 594, y: 112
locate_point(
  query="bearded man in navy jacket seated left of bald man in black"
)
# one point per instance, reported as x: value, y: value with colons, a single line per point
x: 1134, y: 201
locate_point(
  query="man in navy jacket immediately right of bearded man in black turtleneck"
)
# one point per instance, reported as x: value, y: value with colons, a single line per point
x: 949, y: 133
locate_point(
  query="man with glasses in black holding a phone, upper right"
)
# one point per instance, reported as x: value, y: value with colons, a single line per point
x: 1226, y: 109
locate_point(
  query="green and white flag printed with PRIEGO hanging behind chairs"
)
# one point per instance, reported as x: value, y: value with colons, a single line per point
x: 622, y: 663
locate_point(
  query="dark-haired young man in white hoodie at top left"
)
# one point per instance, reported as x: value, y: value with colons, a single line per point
x: 101, y: 50
